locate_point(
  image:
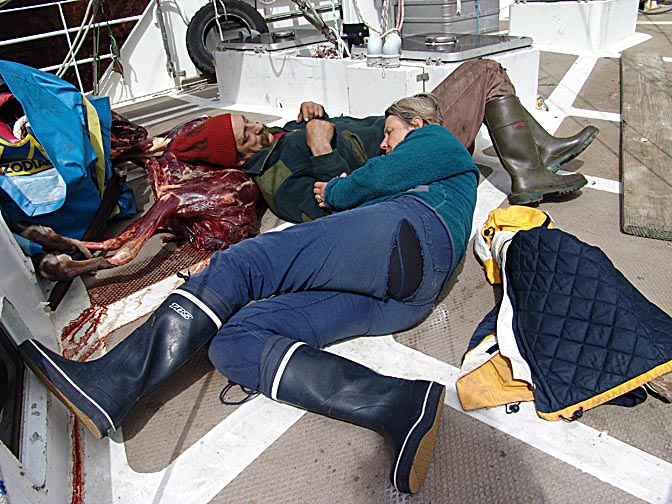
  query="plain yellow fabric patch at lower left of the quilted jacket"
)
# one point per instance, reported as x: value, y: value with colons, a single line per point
x: 492, y: 384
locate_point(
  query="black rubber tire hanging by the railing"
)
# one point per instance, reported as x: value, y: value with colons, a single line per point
x: 203, y: 34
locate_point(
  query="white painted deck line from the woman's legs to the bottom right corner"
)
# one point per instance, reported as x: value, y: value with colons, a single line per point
x: 596, y: 453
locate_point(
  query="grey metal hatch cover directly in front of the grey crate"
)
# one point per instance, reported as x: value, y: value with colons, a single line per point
x: 448, y: 47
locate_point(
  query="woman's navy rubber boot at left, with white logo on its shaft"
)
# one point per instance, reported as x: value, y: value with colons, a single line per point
x: 101, y: 392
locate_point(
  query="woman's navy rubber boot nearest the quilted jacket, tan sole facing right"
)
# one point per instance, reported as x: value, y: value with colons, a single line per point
x: 405, y: 412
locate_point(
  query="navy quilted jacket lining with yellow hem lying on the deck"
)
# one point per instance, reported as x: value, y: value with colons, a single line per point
x: 587, y: 334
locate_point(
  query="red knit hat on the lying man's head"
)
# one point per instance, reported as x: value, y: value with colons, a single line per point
x: 210, y: 142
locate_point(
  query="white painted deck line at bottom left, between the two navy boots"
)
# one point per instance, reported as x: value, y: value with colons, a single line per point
x: 201, y: 471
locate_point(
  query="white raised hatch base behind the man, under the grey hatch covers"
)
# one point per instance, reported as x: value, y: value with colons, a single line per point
x: 281, y: 80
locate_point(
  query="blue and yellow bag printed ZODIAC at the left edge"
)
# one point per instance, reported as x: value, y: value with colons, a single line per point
x: 56, y: 174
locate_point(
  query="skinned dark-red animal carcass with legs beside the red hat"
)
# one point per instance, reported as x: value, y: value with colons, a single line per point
x: 211, y: 207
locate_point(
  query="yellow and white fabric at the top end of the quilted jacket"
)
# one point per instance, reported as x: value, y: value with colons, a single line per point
x: 510, y: 219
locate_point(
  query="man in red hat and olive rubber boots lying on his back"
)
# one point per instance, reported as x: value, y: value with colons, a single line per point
x: 286, y: 166
